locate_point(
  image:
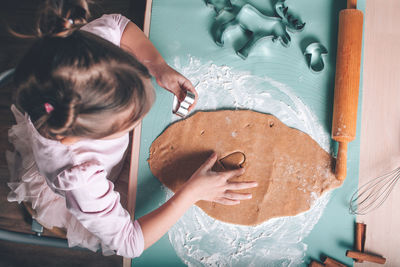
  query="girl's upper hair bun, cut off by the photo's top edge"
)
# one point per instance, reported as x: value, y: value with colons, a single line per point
x: 61, y: 17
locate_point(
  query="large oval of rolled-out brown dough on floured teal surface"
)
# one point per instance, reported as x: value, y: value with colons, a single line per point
x: 292, y: 170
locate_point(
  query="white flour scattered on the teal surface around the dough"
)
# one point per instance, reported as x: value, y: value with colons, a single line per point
x: 200, y: 240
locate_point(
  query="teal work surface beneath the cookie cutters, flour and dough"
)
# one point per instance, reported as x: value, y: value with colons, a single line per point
x: 182, y: 30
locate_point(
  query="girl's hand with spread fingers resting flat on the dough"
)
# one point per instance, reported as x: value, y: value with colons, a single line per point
x: 208, y: 185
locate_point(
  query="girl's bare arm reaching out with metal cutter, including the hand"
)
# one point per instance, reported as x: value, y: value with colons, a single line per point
x: 134, y: 41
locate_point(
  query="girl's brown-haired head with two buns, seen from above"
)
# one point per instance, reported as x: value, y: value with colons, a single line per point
x: 94, y: 88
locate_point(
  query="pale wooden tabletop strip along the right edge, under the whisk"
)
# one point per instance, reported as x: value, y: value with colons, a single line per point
x: 380, y: 126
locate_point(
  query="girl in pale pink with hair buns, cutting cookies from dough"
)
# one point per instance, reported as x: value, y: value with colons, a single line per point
x: 78, y: 96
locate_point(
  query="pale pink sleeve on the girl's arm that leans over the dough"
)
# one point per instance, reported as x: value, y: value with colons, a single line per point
x: 91, y: 198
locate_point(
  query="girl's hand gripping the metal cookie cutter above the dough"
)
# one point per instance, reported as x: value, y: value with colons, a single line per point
x: 175, y: 82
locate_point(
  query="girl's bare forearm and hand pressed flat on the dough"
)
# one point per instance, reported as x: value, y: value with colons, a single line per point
x: 203, y: 185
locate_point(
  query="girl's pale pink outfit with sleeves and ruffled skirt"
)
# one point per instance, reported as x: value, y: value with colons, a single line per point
x: 70, y: 186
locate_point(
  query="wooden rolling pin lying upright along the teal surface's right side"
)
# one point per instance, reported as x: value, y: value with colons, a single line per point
x: 347, y: 80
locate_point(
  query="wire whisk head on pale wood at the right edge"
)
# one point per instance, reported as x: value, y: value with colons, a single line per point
x: 373, y: 194
